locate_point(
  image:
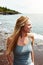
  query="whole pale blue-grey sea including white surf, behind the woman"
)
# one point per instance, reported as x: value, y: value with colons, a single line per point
x: 7, y: 23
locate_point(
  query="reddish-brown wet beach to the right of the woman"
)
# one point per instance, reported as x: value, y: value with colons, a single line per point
x: 38, y: 50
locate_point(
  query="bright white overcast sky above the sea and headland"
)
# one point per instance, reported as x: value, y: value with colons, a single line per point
x: 24, y: 6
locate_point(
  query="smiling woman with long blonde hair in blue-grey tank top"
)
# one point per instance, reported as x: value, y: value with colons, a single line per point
x: 21, y: 42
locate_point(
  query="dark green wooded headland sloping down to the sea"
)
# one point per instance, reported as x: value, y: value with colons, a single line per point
x: 4, y: 11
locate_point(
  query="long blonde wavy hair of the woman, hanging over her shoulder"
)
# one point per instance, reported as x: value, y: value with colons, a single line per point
x: 18, y: 26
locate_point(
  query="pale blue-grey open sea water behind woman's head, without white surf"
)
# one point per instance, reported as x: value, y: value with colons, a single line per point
x: 7, y: 22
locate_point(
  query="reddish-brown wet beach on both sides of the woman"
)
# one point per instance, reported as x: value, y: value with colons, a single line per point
x: 38, y: 53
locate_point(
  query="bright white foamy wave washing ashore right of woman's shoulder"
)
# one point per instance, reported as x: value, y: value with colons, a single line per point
x: 38, y: 39
